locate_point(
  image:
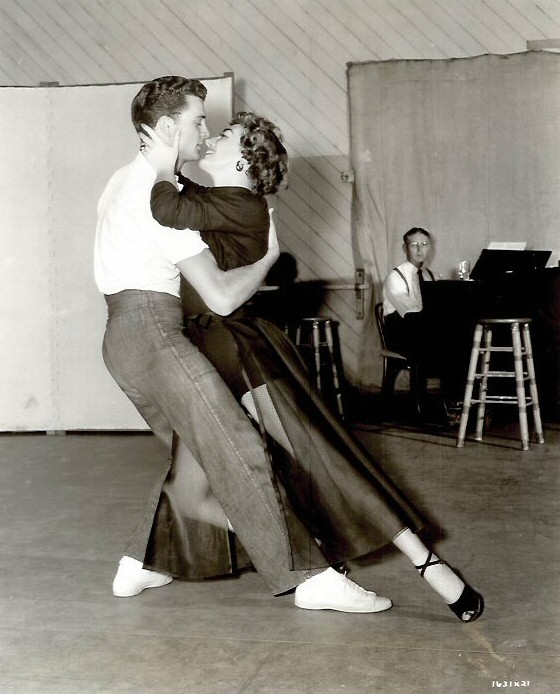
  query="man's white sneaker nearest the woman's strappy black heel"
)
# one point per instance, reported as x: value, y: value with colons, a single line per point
x: 331, y: 590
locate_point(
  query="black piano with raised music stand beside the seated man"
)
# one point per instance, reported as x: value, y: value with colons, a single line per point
x: 504, y: 283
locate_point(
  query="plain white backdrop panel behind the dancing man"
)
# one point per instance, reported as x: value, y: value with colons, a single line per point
x: 60, y: 145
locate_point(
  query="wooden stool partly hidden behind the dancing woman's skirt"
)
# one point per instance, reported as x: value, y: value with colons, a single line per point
x: 320, y: 347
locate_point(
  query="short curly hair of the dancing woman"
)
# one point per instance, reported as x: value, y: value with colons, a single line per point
x: 262, y: 148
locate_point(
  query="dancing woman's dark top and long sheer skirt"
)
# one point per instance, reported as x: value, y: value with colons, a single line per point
x: 332, y: 489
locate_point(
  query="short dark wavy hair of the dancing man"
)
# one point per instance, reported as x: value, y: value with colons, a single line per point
x: 164, y: 96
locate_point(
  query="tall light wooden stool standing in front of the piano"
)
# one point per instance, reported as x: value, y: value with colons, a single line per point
x: 524, y: 371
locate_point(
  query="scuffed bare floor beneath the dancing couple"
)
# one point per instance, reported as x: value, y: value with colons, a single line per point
x: 68, y: 504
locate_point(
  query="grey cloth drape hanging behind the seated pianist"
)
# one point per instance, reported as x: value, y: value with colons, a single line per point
x: 466, y: 148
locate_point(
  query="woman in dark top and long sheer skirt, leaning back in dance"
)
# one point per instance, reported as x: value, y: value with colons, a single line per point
x: 325, y: 479
